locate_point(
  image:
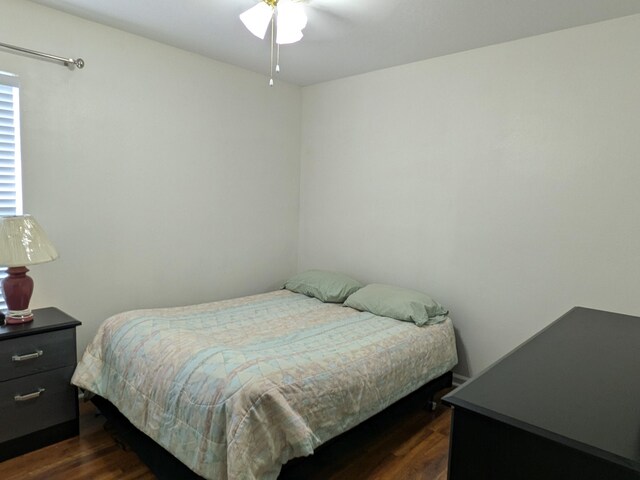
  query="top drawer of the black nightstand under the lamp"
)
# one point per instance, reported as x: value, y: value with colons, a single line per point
x: 37, y: 353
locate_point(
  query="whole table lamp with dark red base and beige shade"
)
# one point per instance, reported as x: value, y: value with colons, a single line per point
x: 22, y: 242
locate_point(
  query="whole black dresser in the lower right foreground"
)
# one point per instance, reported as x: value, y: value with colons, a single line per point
x: 564, y: 405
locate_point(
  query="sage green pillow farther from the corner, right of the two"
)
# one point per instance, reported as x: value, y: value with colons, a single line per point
x: 399, y: 303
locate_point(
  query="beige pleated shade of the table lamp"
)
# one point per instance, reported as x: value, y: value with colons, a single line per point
x: 23, y: 242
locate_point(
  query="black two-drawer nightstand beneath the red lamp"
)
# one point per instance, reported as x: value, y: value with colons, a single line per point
x: 38, y: 404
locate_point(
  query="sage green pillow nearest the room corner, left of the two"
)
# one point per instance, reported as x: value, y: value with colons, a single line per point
x: 325, y: 286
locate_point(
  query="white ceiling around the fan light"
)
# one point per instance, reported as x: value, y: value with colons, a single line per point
x: 345, y: 37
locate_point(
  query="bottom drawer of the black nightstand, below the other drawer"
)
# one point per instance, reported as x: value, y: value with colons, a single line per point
x: 36, y: 402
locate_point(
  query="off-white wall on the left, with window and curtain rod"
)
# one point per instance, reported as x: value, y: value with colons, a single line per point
x: 162, y: 177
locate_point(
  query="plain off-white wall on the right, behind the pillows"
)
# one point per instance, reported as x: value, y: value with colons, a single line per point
x: 503, y: 181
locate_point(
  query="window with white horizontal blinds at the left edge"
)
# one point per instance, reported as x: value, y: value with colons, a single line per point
x: 10, y: 174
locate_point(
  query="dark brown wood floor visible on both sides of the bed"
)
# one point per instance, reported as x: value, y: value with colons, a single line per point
x: 406, y: 441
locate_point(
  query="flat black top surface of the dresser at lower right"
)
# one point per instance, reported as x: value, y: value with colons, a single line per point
x: 576, y: 382
